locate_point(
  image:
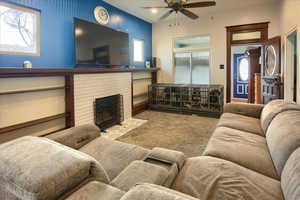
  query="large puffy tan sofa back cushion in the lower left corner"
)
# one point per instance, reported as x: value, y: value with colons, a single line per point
x: 35, y: 168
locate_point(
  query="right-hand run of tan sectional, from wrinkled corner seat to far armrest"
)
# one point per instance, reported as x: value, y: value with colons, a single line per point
x: 253, y: 154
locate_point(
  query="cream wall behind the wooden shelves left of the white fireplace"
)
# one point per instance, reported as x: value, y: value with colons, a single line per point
x: 25, y: 107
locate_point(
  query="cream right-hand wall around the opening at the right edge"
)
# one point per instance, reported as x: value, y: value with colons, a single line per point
x: 289, y: 20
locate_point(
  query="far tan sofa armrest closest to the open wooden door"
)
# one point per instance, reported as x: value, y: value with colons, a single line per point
x: 250, y: 110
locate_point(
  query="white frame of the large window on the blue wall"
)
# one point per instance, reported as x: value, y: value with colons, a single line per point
x: 38, y: 19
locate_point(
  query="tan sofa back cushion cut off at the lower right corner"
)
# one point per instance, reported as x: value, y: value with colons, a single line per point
x: 290, y: 178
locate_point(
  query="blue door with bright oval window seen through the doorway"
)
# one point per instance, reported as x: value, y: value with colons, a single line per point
x: 240, y: 76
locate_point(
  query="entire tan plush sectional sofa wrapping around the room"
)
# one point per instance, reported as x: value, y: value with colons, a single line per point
x: 253, y: 154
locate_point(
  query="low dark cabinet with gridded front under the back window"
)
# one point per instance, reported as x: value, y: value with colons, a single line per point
x: 197, y: 99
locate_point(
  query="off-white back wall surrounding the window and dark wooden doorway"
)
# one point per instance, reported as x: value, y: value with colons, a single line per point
x: 163, y: 36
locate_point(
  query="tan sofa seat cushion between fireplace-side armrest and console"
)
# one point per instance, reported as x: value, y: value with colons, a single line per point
x: 114, y: 156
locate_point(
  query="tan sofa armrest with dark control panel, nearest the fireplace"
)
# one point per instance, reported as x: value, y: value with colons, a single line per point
x: 76, y: 137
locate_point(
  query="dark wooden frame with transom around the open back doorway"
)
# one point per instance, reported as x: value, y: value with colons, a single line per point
x: 263, y: 28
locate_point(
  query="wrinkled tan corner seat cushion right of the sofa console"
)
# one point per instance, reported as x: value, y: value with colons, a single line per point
x: 209, y: 178
